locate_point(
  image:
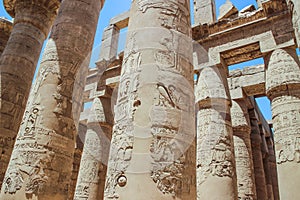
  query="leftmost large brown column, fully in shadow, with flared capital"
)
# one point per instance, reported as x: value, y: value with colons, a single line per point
x: 32, y: 21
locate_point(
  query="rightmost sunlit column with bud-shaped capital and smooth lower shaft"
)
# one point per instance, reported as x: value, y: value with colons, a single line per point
x: 283, y: 89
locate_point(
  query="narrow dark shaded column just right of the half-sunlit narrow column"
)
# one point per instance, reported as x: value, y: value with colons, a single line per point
x: 256, y: 142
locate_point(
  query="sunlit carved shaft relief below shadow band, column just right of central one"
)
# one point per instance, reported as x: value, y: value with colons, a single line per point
x: 215, y: 157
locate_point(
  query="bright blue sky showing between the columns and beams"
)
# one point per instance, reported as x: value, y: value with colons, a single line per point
x: 115, y: 7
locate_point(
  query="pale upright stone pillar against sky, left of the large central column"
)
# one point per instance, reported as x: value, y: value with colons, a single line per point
x: 109, y: 45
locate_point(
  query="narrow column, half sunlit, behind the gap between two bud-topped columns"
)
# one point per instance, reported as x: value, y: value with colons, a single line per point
x: 243, y: 152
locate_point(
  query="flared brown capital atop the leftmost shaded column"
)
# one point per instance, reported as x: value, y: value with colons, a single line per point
x: 10, y: 5
